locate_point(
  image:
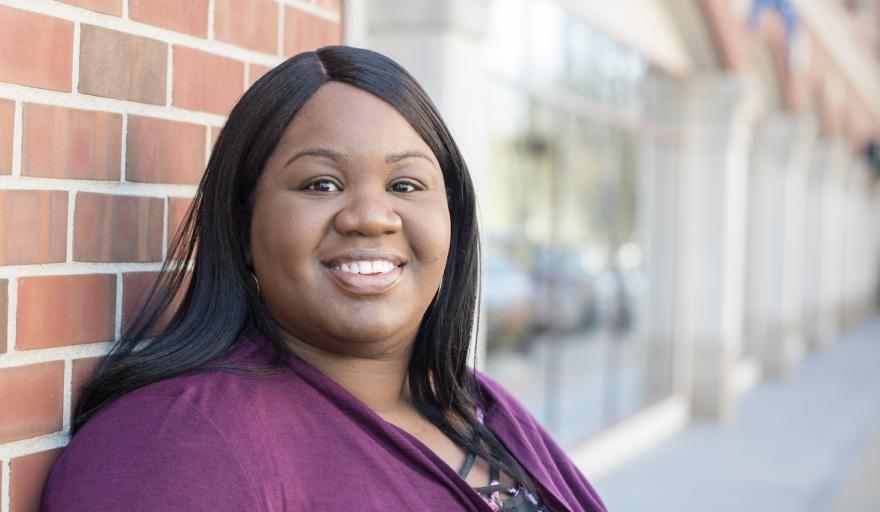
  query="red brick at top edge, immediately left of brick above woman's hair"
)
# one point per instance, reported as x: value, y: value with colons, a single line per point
x: 249, y: 23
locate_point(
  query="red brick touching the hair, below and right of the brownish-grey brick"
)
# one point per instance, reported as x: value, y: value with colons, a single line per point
x: 162, y: 151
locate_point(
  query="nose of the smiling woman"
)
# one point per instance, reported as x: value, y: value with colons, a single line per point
x: 367, y: 213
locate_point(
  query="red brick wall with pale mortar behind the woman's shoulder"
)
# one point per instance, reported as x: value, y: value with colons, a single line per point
x: 107, y: 113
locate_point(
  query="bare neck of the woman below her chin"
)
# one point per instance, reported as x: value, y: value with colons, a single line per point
x: 379, y: 381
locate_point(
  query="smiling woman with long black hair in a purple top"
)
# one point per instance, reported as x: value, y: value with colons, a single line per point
x: 317, y: 359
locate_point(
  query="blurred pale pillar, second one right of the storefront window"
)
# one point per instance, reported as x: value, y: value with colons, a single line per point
x: 775, y: 313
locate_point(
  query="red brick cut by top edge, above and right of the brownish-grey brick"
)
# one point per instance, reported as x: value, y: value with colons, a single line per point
x: 190, y: 16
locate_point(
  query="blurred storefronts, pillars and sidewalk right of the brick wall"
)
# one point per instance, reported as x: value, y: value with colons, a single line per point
x: 680, y: 216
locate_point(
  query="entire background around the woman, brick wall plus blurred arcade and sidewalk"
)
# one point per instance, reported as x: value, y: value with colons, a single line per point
x: 678, y: 201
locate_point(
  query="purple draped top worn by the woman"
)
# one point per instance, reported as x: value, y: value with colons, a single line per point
x: 293, y: 440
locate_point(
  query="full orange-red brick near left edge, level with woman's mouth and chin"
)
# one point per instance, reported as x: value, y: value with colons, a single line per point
x: 54, y: 311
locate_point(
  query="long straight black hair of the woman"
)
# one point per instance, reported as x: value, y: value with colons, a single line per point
x: 198, y: 312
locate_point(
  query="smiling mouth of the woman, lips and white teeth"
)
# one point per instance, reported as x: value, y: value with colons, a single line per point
x: 365, y: 274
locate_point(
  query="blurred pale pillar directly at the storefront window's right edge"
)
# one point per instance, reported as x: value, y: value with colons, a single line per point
x: 713, y: 196
